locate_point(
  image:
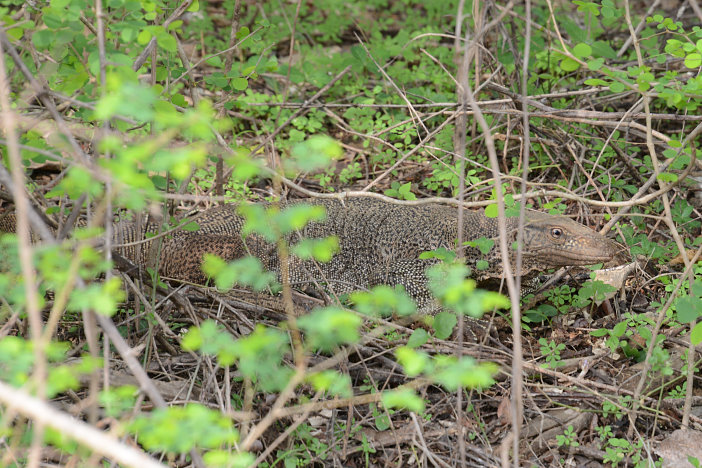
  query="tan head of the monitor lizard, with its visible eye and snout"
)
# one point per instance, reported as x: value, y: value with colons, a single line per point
x: 559, y: 241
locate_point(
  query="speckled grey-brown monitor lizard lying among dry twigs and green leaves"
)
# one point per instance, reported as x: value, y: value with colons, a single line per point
x: 379, y: 242
